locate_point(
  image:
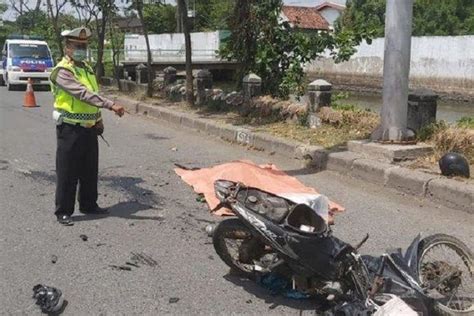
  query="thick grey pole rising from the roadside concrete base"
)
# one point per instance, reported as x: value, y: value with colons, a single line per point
x: 396, y: 69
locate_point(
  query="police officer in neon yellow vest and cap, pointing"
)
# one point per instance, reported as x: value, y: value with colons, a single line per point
x: 77, y: 106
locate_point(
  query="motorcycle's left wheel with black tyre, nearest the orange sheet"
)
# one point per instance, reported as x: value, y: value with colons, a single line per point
x: 228, y: 231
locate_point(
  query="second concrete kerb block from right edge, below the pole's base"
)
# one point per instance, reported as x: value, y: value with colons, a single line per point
x: 408, y: 181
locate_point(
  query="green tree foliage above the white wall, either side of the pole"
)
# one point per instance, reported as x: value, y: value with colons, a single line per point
x: 442, y: 17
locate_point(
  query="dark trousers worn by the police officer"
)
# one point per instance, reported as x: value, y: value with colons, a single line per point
x: 77, y: 159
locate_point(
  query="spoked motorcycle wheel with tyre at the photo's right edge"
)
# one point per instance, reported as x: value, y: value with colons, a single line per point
x: 446, y: 271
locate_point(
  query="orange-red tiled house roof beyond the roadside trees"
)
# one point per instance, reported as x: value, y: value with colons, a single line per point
x: 305, y: 18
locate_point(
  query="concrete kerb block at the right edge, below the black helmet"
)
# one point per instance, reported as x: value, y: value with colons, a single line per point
x: 452, y: 193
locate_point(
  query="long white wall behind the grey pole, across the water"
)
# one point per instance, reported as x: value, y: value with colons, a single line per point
x: 434, y: 59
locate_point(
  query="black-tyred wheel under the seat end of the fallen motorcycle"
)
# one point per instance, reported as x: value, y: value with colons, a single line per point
x: 236, y: 246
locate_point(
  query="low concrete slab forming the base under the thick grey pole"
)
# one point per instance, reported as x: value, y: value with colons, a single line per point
x: 388, y: 153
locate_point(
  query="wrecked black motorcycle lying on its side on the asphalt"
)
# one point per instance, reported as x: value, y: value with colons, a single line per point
x: 275, y: 235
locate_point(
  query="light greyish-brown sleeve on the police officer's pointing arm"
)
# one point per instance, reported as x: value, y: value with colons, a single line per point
x: 66, y: 81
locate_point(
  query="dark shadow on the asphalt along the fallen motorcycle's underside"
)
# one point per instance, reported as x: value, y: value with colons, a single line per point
x: 275, y: 300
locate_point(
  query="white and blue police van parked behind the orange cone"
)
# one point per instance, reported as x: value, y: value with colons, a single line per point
x: 25, y: 57
